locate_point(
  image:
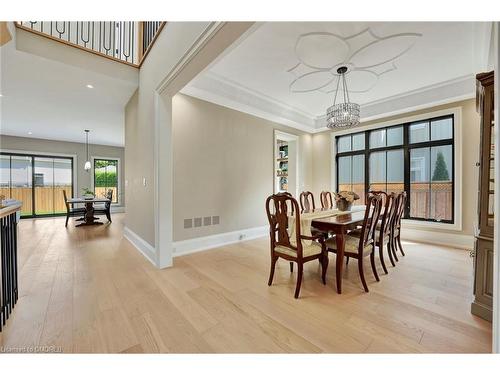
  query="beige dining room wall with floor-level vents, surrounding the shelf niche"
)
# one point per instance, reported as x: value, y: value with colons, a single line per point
x: 223, y: 166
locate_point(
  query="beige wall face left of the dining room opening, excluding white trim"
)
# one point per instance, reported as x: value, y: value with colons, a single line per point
x: 172, y: 43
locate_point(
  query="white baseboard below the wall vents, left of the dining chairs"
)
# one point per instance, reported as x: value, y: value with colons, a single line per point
x: 209, y: 242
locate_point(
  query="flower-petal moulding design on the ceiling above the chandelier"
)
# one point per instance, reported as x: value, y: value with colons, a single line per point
x: 366, y: 55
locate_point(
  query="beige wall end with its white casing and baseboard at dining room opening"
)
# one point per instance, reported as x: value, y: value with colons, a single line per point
x: 182, y: 50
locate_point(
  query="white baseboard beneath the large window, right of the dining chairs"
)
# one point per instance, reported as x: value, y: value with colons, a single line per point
x: 461, y: 241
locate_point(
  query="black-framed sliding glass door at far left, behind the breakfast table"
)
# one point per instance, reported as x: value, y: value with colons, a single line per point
x: 37, y: 181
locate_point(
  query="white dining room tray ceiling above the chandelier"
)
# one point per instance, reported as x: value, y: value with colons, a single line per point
x: 255, y: 75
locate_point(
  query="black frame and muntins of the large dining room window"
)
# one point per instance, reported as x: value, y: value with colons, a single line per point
x: 406, y: 146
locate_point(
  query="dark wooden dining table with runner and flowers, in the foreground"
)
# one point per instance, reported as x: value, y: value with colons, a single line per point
x: 339, y: 223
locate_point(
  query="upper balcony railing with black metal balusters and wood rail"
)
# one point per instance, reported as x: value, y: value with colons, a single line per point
x: 124, y: 41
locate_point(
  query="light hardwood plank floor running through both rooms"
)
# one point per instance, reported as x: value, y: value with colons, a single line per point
x: 88, y: 290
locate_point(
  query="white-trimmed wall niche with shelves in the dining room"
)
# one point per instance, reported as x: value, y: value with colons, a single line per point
x: 285, y: 163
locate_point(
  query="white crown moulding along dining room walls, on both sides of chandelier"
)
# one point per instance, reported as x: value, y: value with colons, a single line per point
x: 220, y: 91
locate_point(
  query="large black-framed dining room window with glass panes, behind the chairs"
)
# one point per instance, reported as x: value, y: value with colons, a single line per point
x: 416, y: 157
